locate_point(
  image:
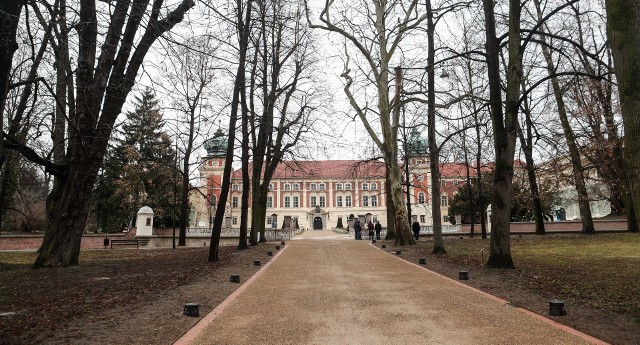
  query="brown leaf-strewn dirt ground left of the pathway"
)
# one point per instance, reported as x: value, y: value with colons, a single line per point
x: 120, y: 296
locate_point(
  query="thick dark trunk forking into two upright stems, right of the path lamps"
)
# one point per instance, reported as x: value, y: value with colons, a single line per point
x: 503, y: 130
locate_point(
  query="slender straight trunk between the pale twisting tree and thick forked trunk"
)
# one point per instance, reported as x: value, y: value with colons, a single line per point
x: 434, y: 151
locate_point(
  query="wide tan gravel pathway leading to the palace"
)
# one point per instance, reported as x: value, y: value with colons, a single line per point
x: 349, y: 292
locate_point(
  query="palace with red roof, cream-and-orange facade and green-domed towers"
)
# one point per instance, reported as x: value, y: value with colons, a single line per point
x: 316, y: 194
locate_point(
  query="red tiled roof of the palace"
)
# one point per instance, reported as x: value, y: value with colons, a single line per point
x: 308, y: 170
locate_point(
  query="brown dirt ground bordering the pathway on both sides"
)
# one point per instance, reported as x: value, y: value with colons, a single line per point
x: 129, y: 296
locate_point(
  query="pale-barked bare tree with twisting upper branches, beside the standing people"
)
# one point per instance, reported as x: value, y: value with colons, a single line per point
x: 389, y: 24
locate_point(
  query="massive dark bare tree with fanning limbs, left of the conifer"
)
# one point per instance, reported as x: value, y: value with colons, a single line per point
x: 106, y: 70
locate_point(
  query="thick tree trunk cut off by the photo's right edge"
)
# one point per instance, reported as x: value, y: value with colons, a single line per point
x: 623, y: 30
